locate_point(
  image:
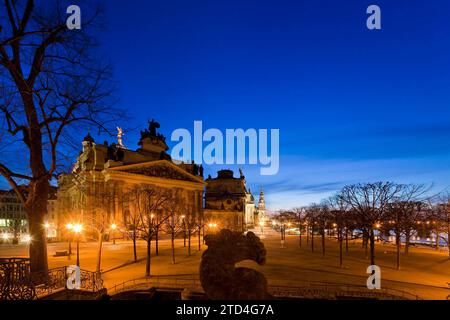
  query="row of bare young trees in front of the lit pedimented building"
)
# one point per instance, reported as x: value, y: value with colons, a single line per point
x: 153, y: 211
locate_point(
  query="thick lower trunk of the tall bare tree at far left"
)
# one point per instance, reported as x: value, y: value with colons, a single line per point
x: 36, y: 208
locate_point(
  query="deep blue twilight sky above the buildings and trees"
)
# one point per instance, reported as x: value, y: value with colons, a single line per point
x: 351, y: 104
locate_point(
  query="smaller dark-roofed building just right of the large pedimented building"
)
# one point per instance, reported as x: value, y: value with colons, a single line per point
x: 228, y: 202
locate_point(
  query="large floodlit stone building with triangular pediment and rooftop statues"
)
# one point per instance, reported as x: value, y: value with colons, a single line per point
x: 99, y: 189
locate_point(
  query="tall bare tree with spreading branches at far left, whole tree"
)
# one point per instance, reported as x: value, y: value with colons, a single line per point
x: 49, y: 81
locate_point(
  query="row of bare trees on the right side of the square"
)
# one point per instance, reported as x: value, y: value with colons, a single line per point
x: 359, y: 210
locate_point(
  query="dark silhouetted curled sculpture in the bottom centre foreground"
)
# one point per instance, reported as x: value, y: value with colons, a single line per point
x: 219, y: 277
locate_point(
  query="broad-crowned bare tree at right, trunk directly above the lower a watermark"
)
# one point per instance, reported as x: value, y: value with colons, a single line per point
x: 370, y: 202
